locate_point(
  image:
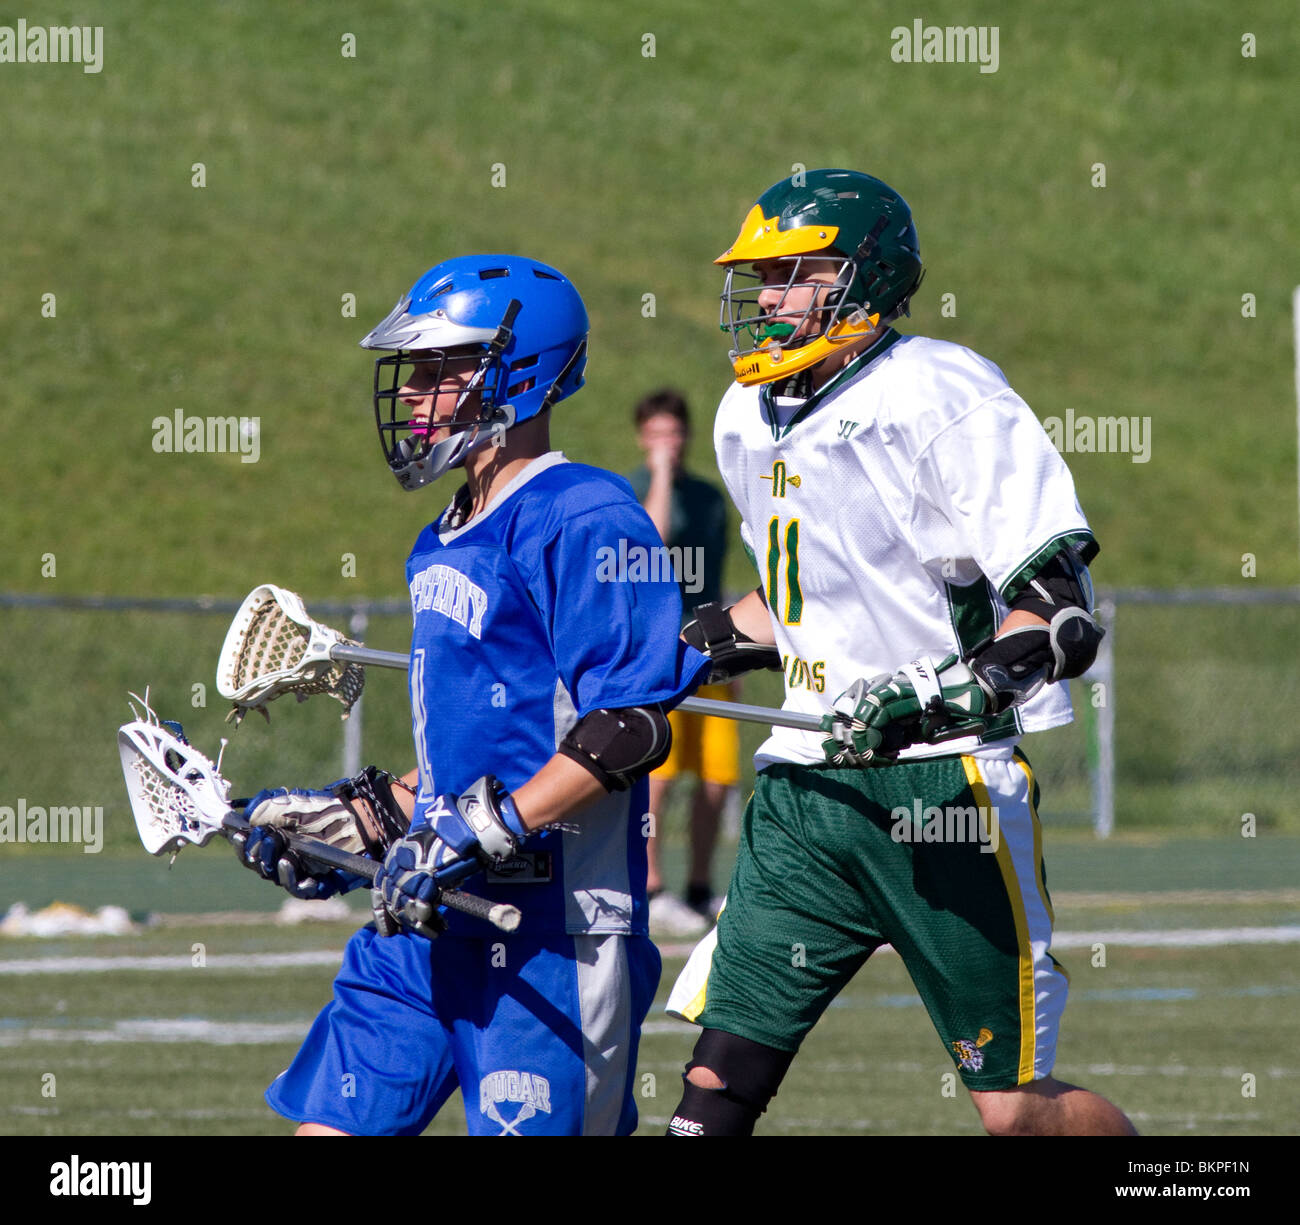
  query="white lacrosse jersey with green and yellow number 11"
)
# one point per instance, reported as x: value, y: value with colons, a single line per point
x: 894, y: 516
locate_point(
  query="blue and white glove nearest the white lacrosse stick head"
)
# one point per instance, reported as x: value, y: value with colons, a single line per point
x: 359, y: 816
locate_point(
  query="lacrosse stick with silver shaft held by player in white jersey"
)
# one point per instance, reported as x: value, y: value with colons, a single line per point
x: 275, y: 648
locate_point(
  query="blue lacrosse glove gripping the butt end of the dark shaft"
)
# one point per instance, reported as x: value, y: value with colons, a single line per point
x: 463, y: 836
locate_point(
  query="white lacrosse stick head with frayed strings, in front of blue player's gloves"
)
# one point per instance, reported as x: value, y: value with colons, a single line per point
x: 177, y: 794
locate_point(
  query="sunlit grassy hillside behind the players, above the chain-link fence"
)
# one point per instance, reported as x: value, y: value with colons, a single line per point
x: 330, y: 176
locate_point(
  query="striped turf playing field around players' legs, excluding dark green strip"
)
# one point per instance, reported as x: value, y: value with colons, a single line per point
x: 1168, y: 1033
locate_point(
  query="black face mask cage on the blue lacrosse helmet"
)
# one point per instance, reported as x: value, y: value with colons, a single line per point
x: 393, y: 418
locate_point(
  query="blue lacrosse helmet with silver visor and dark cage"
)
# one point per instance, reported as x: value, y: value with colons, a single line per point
x: 526, y: 324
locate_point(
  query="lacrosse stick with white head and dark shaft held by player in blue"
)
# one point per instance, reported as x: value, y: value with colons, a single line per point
x: 179, y: 798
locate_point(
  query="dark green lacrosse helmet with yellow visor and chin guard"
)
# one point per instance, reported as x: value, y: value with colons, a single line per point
x: 840, y: 220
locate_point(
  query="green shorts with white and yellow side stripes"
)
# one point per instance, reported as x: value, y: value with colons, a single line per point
x: 941, y: 859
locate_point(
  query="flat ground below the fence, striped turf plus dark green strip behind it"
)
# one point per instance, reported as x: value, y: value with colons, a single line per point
x: 1168, y: 1032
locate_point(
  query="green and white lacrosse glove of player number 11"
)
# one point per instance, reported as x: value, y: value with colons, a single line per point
x: 924, y: 703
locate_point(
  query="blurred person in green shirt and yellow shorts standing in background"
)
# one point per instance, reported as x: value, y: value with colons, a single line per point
x: 691, y: 516
